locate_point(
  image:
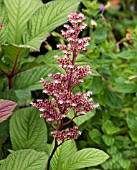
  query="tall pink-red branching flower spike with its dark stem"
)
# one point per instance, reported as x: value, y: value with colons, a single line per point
x: 61, y: 87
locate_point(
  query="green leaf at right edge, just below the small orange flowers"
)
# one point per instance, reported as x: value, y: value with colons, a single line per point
x: 128, y: 54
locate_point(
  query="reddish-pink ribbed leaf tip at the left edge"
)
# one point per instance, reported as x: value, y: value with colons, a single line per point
x: 6, y: 109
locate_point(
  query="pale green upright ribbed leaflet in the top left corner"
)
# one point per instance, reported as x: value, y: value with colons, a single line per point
x: 19, y: 12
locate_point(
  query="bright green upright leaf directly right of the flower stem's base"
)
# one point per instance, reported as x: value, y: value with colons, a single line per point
x: 64, y: 151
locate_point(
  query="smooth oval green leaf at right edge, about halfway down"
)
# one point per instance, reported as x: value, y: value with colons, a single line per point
x: 126, y: 88
